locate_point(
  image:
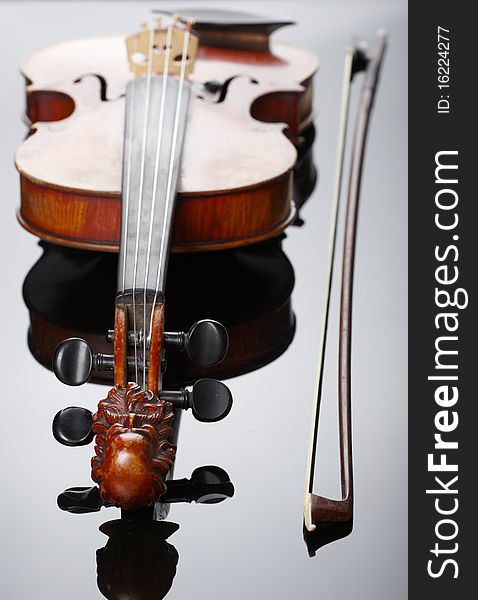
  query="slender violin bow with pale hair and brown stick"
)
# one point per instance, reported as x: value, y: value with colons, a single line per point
x: 319, y: 510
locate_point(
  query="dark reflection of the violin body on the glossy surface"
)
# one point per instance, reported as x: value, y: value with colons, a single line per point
x: 252, y: 298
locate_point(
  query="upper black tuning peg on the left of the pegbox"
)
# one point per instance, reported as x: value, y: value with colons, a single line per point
x: 74, y: 361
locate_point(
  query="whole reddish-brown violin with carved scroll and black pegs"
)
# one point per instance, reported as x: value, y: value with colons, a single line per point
x: 153, y: 164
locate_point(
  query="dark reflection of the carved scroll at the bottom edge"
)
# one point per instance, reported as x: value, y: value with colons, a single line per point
x: 136, y: 562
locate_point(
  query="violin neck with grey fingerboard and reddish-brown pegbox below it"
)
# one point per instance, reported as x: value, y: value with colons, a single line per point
x: 155, y: 119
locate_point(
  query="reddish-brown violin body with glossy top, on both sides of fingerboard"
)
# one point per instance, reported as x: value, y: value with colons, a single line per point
x: 235, y: 185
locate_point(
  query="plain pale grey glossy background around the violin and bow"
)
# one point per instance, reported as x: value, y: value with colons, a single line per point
x: 252, y: 545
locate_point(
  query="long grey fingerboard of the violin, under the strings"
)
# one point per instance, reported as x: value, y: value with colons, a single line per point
x: 155, y: 120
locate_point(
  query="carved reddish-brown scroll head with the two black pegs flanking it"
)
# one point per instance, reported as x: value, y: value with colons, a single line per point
x: 133, y: 453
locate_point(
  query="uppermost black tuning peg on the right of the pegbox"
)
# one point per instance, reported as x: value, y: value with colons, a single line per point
x: 206, y: 343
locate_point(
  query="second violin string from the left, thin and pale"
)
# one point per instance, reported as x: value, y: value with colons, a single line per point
x: 164, y: 85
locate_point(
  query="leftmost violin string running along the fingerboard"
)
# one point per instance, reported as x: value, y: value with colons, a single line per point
x: 140, y: 194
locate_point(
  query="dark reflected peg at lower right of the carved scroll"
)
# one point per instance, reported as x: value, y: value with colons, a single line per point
x: 208, y: 485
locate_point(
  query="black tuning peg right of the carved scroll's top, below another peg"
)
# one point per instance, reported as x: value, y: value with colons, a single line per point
x: 210, y: 400
